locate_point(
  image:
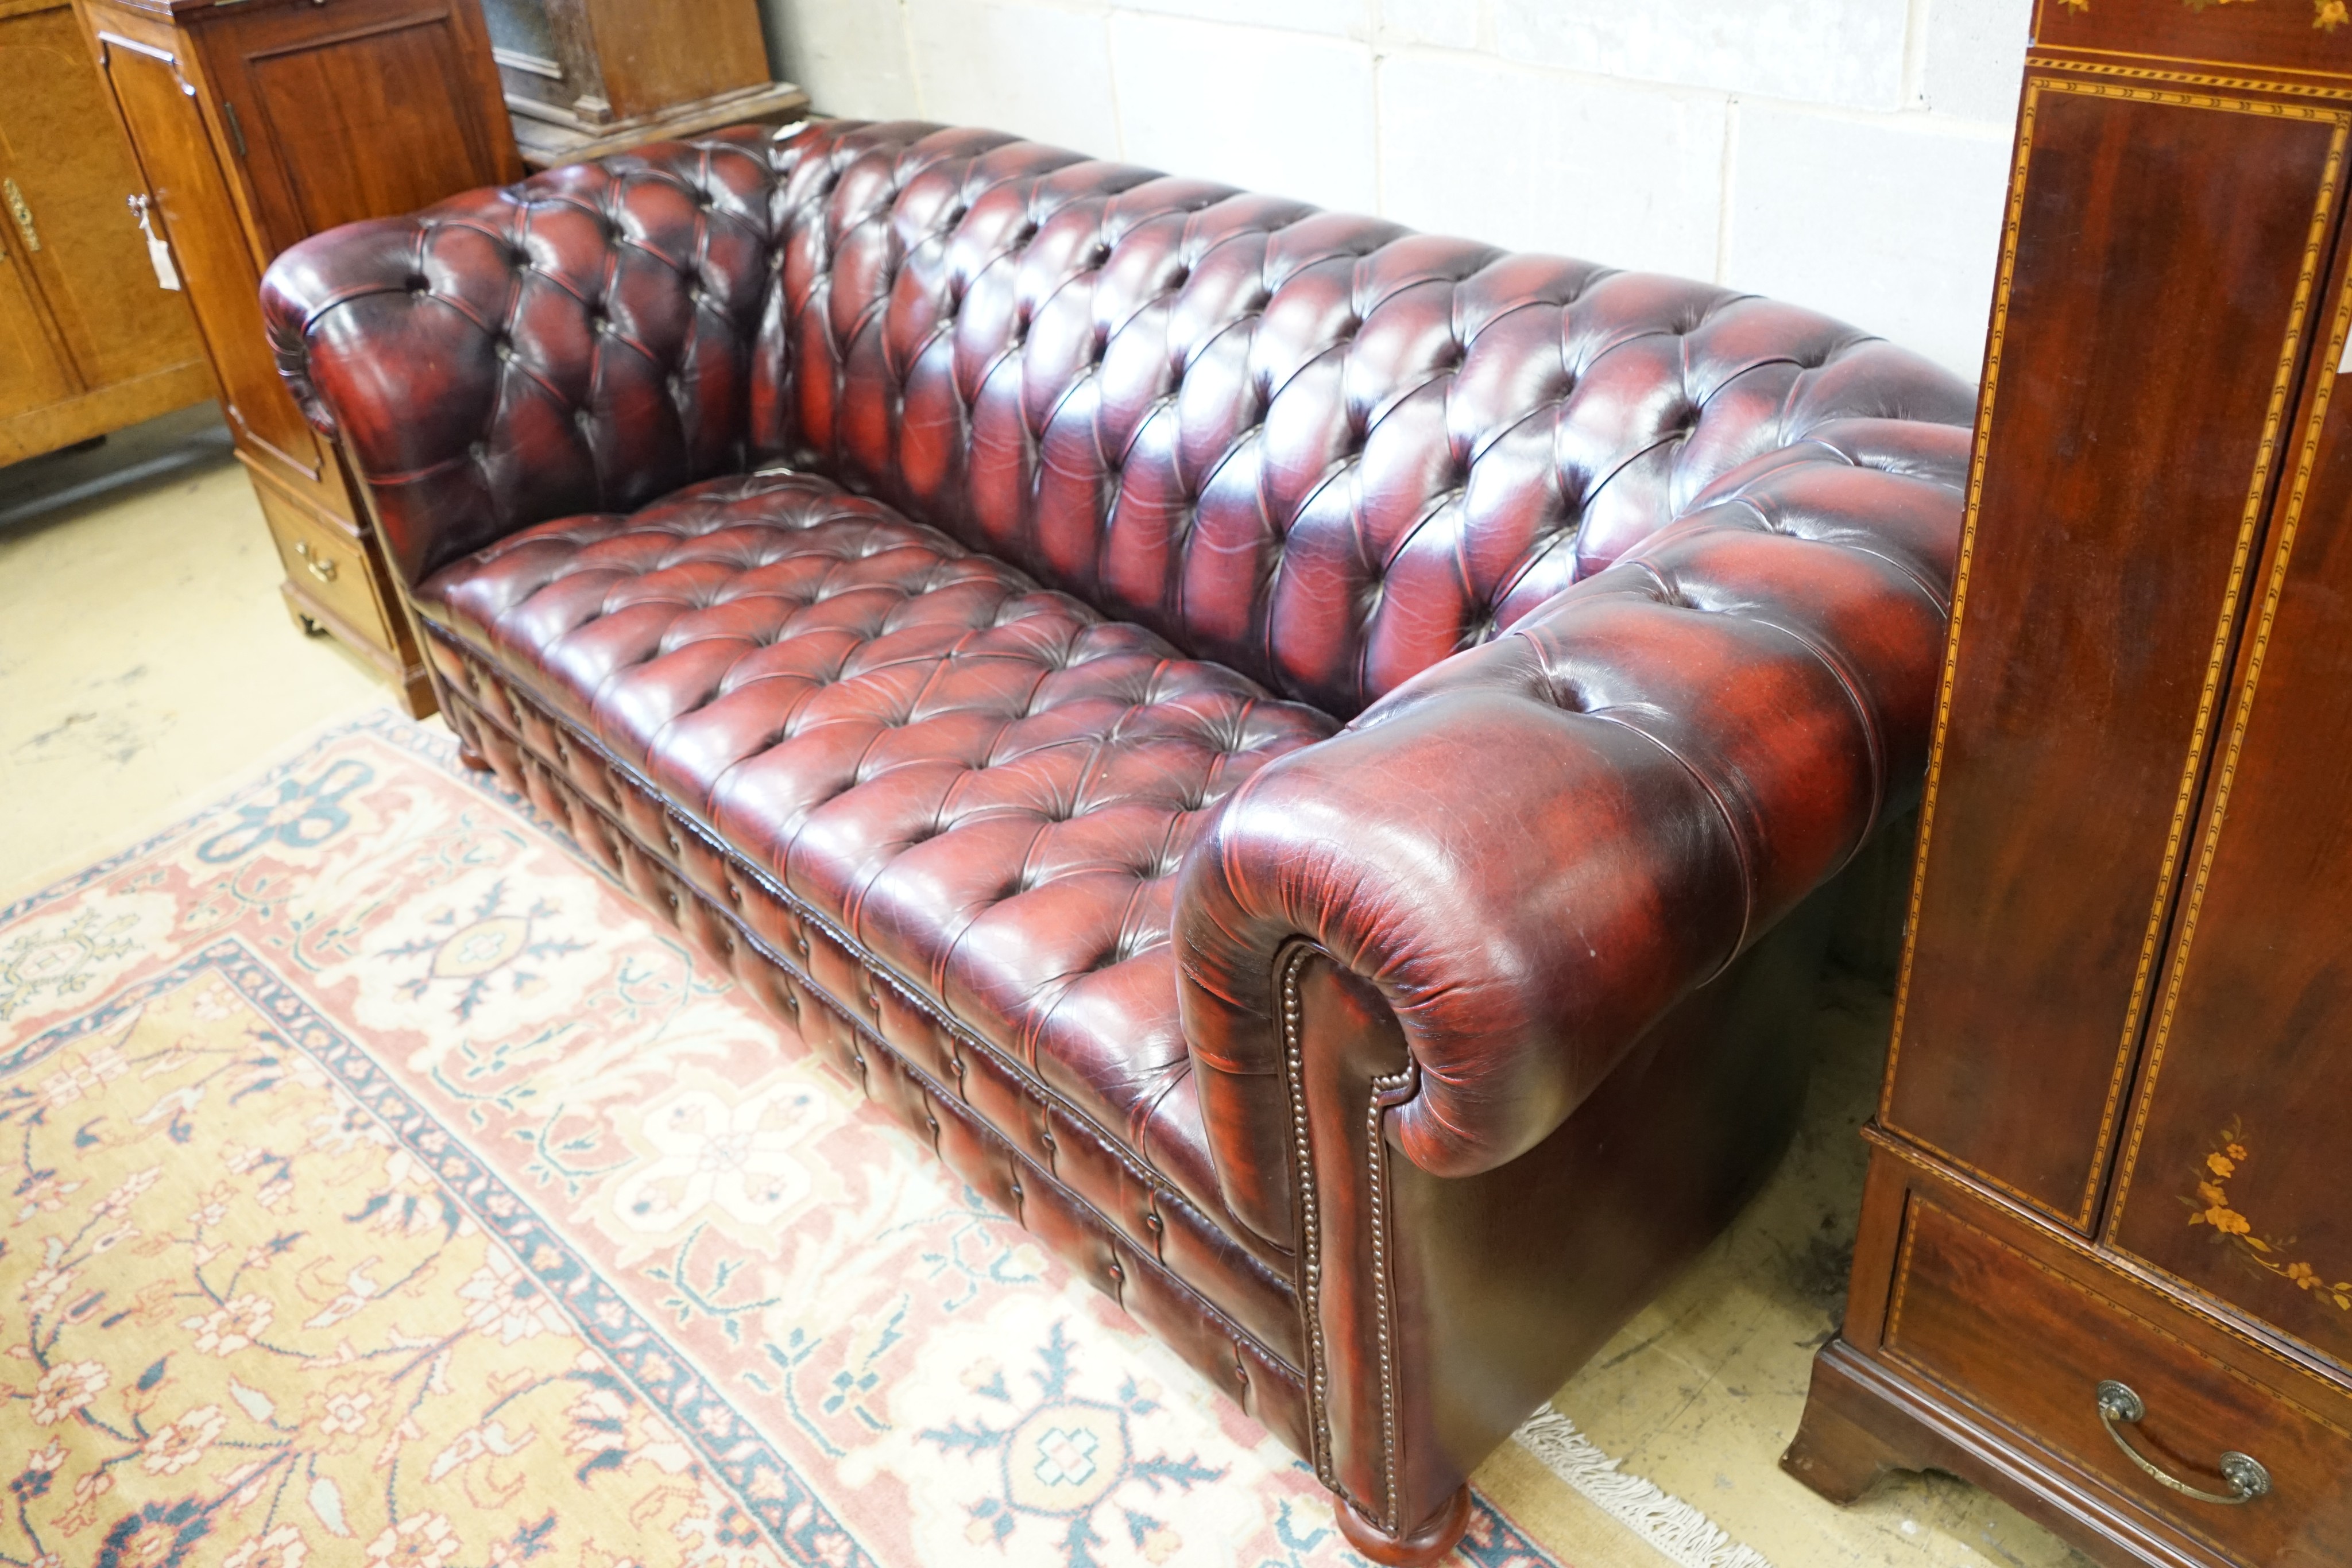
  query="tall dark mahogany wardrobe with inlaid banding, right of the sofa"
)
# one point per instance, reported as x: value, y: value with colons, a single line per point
x: 2106, y: 1249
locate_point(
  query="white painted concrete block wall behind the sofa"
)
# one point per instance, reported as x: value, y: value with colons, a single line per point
x: 1838, y: 154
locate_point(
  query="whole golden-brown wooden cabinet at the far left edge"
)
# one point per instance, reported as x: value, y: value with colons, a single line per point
x: 91, y: 340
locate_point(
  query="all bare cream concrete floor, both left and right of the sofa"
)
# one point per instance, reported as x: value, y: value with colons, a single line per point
x: 147, y: 664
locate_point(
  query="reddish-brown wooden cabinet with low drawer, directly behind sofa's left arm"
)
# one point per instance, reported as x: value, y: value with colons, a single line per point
x: 260, y: 123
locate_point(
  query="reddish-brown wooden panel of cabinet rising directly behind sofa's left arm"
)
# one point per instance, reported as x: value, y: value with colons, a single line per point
x: 385, y: 109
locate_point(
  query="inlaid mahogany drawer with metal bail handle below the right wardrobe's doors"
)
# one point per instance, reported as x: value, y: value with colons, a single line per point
x: 2019, y: 1336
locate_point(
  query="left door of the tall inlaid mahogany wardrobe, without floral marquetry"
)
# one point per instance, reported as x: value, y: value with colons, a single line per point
x: 2144, y: 354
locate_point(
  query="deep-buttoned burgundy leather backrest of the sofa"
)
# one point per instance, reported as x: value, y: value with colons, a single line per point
x: 1316, y: 448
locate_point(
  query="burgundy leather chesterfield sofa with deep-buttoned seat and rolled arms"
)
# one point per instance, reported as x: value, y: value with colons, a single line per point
x: 1285, y: 749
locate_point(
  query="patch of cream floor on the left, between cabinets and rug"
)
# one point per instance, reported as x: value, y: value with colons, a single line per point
x: 145, y: 652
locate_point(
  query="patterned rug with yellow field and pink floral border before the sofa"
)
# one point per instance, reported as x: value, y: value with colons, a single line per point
x: 389, y: 1191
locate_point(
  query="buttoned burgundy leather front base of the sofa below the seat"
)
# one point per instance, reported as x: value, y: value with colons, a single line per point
x: 1121, y: 1224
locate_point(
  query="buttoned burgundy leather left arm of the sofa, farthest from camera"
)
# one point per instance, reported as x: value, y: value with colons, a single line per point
x: 580, y: 342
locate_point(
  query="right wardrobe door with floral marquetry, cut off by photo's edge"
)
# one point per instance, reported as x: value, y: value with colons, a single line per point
x: 2238, y: 1174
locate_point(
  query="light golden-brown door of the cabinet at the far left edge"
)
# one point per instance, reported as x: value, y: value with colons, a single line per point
x: 76, y: 173
